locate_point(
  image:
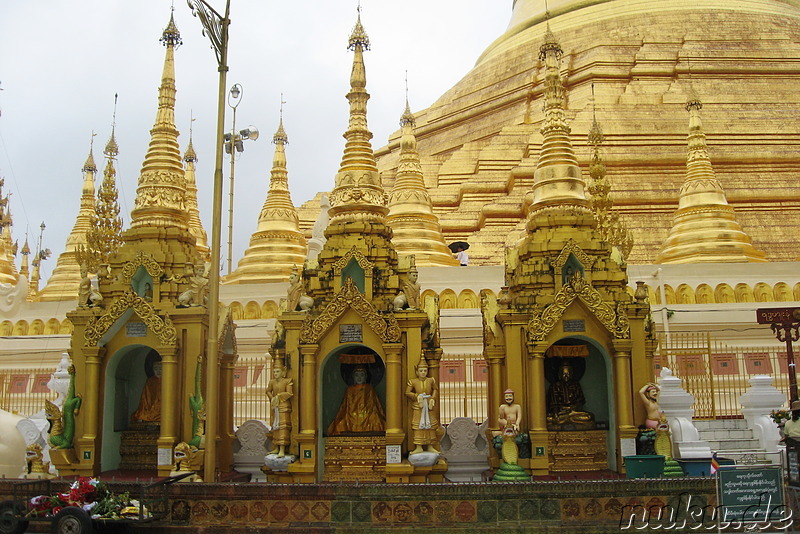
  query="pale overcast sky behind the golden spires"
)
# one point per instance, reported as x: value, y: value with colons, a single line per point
x: 62, y: 62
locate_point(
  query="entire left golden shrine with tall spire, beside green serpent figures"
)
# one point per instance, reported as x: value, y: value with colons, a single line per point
x: 139, y: 341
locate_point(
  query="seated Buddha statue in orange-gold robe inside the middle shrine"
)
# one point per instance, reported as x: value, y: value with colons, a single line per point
x: 361, y: 409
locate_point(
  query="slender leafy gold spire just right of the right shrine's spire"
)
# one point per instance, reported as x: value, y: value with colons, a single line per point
x: 610, y: 226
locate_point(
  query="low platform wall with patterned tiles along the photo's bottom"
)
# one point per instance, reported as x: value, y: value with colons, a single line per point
x: 541, y: 507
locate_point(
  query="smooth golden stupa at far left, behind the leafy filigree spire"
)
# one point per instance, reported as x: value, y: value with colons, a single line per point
x: 63, y: 283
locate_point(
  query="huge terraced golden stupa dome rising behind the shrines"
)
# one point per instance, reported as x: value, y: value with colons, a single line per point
x: 479, y: 143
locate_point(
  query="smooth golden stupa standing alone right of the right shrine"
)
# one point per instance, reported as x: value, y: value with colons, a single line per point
x: 704, y: 227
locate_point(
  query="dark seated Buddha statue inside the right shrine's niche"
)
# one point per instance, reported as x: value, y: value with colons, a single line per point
x: 565, y: 402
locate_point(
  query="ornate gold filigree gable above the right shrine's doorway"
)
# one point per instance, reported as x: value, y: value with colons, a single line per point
x: 577, y: 287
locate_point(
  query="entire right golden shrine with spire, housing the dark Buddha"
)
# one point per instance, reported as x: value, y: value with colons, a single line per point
x: 565, y: 305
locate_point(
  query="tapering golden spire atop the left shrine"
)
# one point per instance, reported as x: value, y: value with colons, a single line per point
x: 161, y: 195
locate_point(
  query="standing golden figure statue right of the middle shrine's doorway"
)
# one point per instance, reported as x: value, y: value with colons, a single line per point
x: 423, y: 392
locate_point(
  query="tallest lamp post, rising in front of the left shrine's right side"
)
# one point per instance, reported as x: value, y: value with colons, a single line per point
x: 215, y: 27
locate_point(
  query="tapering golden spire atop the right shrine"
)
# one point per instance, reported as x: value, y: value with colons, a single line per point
x: 557, y: 179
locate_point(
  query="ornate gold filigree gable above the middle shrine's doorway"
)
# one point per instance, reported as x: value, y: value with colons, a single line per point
x: 386, y: 327
